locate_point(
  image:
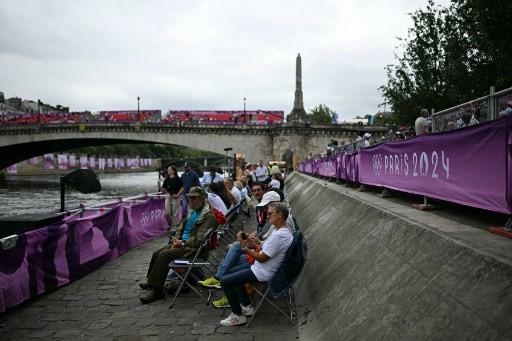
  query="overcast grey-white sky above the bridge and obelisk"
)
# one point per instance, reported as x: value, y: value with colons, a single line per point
x: 101, y: 55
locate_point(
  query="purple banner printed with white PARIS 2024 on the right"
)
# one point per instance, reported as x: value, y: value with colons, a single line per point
x: 468, y: 166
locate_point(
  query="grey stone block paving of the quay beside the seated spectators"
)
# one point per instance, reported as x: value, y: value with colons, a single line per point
x: 104, y: 305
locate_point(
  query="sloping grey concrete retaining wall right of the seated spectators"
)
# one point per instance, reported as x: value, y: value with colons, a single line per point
x: 379, y: 270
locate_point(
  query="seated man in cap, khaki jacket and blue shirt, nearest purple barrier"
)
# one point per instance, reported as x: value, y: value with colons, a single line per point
x: 184, y: 245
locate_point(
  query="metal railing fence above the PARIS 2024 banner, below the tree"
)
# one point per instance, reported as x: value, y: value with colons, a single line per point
x: 476, y: 111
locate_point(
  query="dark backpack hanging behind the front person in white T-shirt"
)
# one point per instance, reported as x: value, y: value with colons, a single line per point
x: 291, y: 266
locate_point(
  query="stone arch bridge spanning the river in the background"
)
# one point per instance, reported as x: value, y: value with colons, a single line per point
x: 18, y: 143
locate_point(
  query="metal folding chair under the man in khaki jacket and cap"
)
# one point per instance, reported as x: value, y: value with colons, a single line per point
x: 179, y: 264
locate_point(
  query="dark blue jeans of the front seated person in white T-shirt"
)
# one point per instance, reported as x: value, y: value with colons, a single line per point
x: 233, y: 286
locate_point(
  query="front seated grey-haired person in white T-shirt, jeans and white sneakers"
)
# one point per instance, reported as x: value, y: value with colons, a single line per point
x: 267, y: 261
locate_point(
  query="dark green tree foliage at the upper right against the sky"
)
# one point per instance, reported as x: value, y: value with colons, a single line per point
x: 451, y: 55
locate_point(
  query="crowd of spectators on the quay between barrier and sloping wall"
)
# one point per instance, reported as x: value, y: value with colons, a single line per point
x: 195, y: 205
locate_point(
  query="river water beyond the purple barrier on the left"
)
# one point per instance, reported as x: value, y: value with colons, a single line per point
x: 40, y: 194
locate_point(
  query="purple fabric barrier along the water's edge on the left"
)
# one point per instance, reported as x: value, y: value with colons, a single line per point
x: 53, y: 256
